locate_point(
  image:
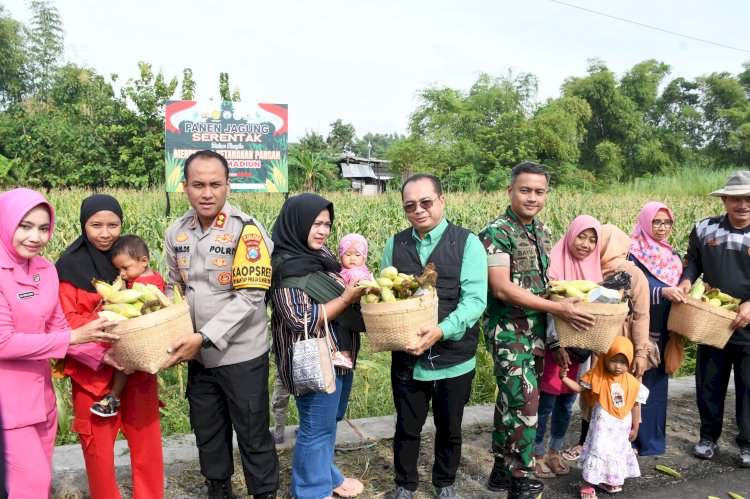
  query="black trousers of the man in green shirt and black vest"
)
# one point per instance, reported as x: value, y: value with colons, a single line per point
x: 412, y: 399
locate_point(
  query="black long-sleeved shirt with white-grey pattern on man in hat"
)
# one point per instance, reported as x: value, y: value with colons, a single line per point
x: 722, y: 254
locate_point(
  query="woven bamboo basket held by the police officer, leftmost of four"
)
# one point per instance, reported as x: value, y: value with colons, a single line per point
x: 144, y: 340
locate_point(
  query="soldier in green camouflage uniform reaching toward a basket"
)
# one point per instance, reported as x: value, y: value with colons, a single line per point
x: 518, y: 248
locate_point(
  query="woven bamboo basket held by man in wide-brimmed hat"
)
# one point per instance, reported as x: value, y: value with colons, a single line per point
x: 701, y: 322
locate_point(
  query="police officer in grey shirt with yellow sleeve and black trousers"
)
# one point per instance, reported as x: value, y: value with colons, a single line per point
x: 220, y: 257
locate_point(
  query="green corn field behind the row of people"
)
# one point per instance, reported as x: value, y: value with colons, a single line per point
x: 376, y: 218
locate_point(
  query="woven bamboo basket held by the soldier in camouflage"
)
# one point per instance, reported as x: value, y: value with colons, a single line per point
x: 608, y: 321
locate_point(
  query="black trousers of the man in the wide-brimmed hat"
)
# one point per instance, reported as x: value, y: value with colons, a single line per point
x: 712, y: 370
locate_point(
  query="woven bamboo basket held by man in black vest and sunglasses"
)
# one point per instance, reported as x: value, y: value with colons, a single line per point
x: 393, y: 326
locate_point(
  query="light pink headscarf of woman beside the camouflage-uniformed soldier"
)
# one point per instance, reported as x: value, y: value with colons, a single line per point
x: 565, y: 266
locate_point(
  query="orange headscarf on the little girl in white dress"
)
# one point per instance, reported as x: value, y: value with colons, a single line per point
x: 615, y: 394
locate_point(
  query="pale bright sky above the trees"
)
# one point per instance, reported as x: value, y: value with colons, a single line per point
x: 365, y: 62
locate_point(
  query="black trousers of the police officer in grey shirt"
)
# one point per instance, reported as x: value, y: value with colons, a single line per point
x: 234, y: 396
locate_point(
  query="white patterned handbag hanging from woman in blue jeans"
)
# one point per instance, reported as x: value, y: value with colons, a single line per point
x: 312, y: 365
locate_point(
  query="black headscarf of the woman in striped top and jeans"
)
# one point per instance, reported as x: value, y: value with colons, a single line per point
x: 291, y: 255
